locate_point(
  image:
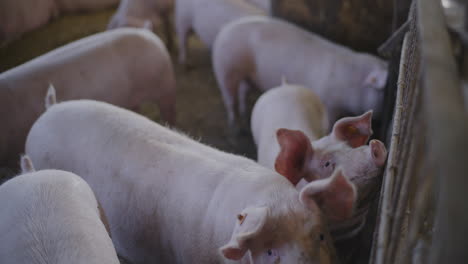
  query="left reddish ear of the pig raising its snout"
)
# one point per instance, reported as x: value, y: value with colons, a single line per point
x: 295, y: 148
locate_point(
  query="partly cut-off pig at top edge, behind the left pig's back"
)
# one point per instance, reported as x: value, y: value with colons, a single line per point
x: 144, y: 13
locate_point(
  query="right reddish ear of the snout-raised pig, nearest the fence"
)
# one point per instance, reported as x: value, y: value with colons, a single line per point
x: 355, y: 131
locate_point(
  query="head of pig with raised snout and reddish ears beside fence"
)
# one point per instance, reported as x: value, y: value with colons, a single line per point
x: 302, y: 161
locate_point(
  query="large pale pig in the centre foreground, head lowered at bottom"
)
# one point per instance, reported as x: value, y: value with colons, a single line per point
x: 171, y: 199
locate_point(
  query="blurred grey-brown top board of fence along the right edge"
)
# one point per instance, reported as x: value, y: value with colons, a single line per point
x: 447, y: 136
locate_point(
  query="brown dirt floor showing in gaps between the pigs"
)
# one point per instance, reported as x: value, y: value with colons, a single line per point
x: 200, y: 110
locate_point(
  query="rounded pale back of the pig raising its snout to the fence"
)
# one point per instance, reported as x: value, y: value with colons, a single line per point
x: 288, y: 106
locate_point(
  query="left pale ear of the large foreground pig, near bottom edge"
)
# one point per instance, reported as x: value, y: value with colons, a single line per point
x: 248, y: 226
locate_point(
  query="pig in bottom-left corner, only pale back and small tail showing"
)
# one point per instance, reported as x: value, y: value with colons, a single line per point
x: 52, y: 216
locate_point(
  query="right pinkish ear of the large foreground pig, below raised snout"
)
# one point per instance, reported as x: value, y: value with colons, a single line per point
x: 335, y: 196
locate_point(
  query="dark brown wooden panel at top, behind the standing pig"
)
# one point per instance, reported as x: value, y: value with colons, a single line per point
x: 361, y: 24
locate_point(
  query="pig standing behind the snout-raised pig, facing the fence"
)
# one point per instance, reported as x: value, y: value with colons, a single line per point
x: 254, y: 51
